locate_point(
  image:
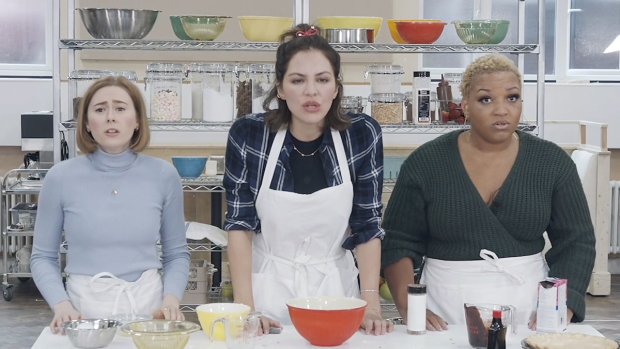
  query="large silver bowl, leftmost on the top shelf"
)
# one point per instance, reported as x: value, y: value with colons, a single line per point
x: 110, y: 23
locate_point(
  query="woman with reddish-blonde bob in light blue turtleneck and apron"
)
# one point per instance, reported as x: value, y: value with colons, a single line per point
x: 113, y: 206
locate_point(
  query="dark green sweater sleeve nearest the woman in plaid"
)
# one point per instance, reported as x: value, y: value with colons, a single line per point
x: 405, y: 222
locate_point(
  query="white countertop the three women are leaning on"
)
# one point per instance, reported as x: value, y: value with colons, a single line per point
x: 454, y: 338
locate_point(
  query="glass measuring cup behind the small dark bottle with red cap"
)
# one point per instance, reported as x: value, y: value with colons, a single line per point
x: 478, y: 318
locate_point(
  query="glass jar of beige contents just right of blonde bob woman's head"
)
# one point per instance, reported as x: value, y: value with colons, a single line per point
x: 166, y: 84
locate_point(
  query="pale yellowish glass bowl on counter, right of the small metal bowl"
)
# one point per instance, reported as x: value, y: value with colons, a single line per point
x: 161, y: 334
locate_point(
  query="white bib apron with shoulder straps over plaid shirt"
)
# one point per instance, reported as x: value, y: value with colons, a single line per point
x: 298, y: 252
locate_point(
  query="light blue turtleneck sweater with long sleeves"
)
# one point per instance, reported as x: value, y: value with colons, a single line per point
x: 112, y: 209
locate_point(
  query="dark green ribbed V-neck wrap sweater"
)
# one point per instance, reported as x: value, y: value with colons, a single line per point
x: 436, y: 211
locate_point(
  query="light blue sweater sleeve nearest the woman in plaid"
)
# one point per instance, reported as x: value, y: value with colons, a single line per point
x: 175, y: 255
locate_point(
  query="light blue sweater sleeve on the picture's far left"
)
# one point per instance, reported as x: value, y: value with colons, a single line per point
x: 48, y: 229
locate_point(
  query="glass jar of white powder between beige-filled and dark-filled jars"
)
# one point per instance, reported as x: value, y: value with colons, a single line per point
x: 218, y: 81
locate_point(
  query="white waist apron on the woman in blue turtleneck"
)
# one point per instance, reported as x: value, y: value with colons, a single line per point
x: 104, y: 295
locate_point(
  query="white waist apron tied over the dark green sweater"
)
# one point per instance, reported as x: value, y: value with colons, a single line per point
x: 506, y: 281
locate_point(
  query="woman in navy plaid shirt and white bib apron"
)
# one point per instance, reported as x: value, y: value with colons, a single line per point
x: 303, y: 188
